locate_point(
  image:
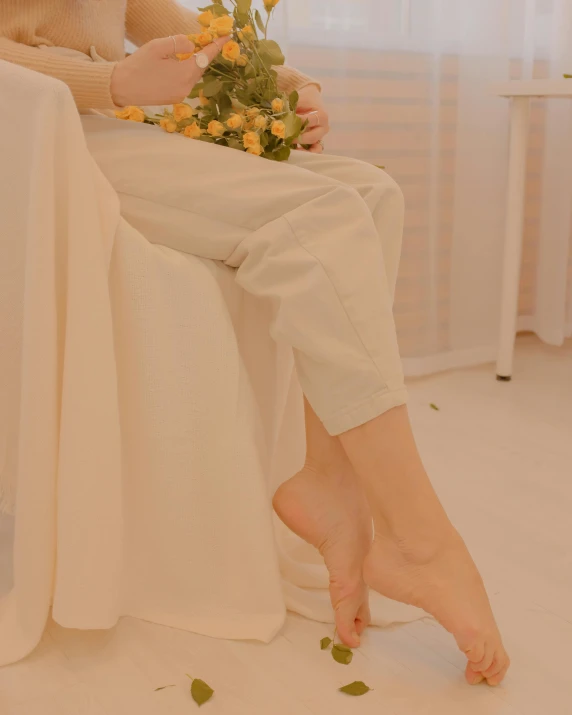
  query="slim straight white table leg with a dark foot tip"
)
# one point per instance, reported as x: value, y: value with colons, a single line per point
x: 520, y: 114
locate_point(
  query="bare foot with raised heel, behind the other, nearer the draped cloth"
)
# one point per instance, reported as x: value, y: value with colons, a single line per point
x: 330, y: 511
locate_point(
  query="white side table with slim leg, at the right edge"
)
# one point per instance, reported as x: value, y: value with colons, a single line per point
x: 520, y: 93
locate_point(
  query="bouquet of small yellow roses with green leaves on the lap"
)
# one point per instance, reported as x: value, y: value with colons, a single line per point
x: 239, y: 104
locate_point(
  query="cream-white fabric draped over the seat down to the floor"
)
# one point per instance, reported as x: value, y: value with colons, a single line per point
x: 146, y: 416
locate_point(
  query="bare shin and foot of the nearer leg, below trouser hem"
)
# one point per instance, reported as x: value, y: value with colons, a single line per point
x: 417, y: 556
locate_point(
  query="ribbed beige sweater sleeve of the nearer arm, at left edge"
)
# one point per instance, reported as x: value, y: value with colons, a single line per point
x: 89, y: 82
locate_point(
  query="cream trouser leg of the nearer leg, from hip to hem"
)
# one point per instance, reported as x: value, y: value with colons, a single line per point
x: 303, y: 242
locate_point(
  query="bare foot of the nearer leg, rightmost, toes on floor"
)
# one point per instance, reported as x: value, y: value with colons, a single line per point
x: 442, y: 579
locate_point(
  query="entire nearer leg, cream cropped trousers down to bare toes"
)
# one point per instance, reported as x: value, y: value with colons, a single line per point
x: 309, y: 245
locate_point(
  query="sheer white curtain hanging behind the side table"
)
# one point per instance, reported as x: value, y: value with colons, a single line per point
x: 408, y: 85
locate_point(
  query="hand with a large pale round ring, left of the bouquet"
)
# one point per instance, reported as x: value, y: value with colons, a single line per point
x: 153, y: 76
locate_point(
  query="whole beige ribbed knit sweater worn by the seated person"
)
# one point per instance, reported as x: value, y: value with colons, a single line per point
x: 26, y: 25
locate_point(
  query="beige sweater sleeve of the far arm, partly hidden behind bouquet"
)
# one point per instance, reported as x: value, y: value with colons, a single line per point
x: 149, y: 19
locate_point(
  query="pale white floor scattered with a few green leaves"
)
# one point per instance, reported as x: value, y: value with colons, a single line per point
x: 501, y: 459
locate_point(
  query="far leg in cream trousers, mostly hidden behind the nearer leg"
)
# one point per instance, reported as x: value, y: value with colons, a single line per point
x: 325, y: 503
